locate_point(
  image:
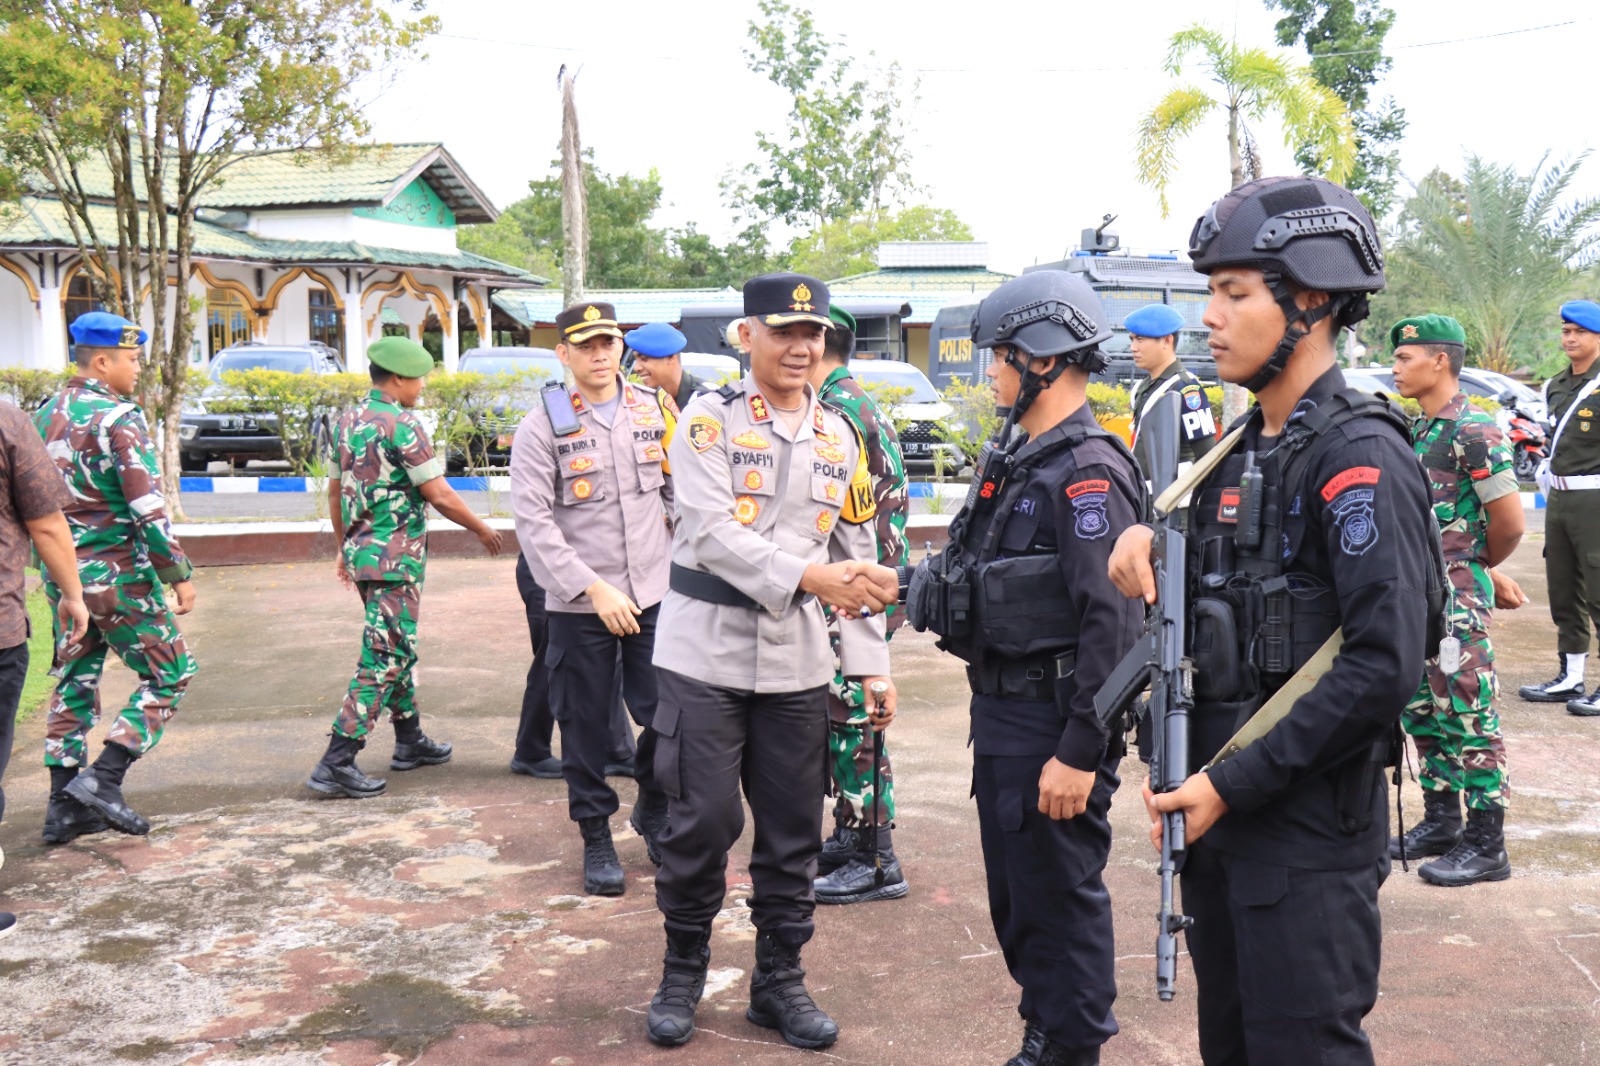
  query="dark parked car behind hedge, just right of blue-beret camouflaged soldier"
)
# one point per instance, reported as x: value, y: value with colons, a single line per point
x: 238, y: 438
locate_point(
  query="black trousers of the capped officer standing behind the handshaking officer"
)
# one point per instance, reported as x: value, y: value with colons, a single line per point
x: 585, y: 662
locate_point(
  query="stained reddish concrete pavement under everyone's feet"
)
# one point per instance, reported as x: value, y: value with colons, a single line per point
x: 444, y: 923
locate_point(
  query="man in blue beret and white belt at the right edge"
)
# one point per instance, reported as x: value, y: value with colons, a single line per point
x: 1572, y: 524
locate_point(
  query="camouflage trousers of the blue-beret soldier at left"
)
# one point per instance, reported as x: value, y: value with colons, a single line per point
x: 134, y: 622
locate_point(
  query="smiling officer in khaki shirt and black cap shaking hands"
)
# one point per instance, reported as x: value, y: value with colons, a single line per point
x: 775, y: 507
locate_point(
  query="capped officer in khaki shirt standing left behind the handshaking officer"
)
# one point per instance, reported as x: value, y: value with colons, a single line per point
x: 591, y: 497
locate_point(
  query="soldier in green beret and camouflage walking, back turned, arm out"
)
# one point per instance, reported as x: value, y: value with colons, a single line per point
x: 388, y: 476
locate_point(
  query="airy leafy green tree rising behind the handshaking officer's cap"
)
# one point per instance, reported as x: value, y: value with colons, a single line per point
x: 844, y: 153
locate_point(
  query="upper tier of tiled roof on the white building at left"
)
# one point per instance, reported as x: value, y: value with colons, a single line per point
x: 361, y: 175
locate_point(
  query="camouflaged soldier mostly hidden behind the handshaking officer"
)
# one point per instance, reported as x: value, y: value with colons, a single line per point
x: 846, y: 865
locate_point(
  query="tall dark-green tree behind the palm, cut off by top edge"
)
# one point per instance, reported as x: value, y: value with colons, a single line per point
x: 1346, y: 46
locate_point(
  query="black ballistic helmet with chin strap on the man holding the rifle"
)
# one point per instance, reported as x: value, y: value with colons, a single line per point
x: 1308, y: 231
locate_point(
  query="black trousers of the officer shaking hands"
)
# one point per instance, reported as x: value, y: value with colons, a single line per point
x: 713, y: 743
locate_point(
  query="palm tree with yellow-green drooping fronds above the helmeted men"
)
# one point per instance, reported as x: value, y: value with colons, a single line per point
x: 1255, y: 84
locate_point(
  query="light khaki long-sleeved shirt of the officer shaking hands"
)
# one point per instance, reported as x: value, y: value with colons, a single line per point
x: 756, y: 507
